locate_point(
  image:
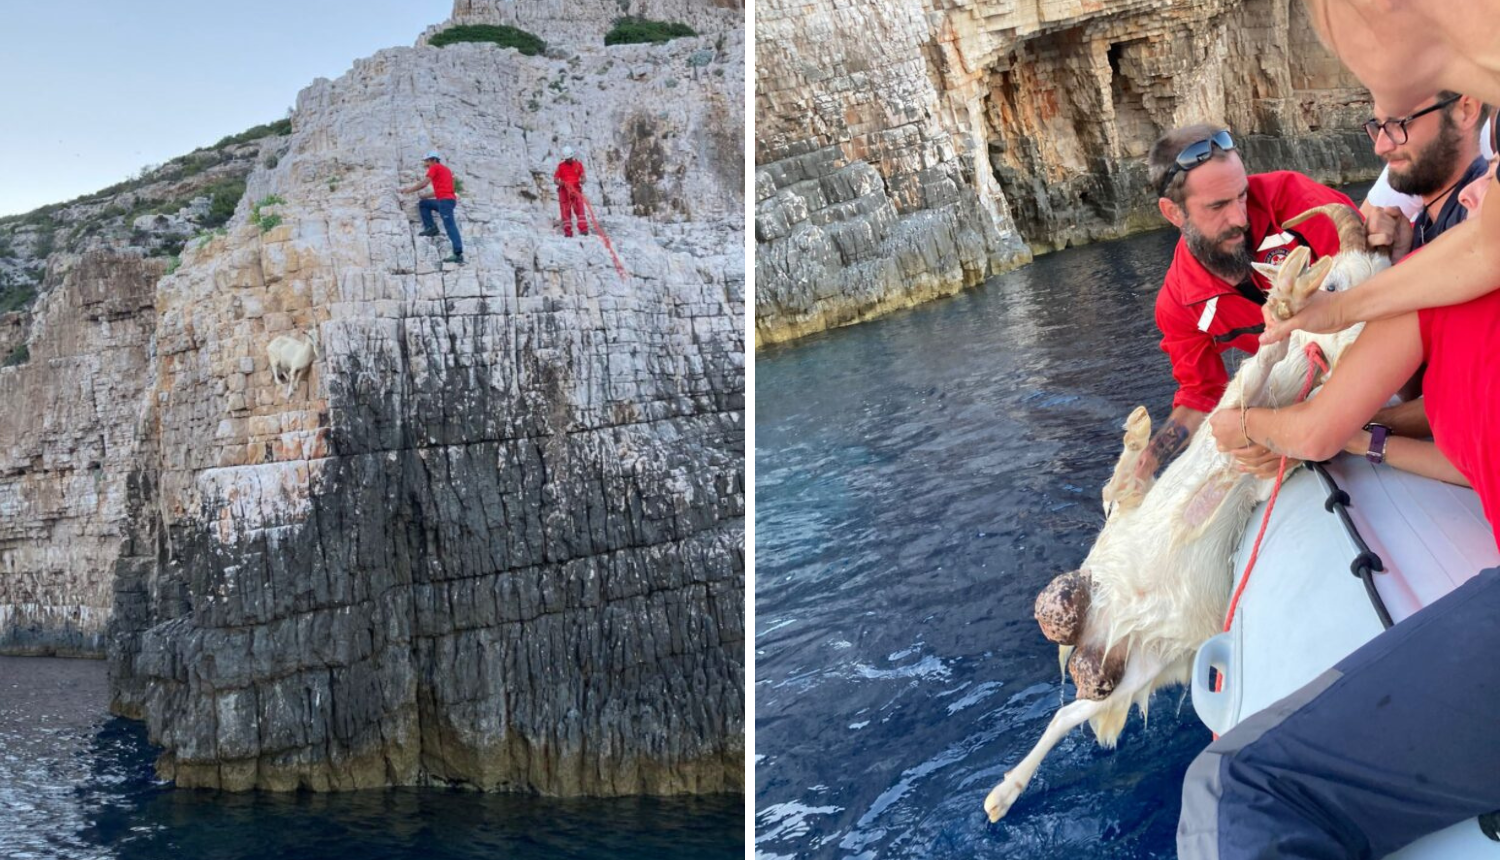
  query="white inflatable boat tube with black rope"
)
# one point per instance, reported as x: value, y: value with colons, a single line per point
x: 1357, y: 543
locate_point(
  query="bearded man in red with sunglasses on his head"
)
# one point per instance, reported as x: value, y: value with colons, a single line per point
x: 1211, y: 298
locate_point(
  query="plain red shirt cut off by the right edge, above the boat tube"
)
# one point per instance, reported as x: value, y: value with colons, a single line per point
x: 1462, y: 388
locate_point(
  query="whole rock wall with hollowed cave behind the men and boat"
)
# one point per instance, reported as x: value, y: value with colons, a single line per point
x: 911, y: 149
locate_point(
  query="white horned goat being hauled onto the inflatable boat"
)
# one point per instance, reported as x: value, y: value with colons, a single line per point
x: 1159, y: 579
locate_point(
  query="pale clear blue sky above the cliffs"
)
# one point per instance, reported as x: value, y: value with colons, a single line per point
x: 97, y: 89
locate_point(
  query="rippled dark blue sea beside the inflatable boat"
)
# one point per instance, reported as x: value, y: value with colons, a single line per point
x: 919, y: 480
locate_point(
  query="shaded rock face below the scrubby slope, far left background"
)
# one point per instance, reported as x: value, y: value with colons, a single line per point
x: 70, y: 442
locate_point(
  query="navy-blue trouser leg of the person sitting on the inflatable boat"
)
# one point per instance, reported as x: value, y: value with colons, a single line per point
x: 1393, y: 744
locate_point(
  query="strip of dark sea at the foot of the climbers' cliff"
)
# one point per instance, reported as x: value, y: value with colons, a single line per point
x: 79, y: 784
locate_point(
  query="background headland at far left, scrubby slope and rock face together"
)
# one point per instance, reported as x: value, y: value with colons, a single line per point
x: 79, y: 281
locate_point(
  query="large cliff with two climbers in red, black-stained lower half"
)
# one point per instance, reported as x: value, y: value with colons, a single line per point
x: 496, y: 537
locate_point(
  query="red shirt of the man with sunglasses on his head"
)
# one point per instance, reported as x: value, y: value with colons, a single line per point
x: 1202, y: 316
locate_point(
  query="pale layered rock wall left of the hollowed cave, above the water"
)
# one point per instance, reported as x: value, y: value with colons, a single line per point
x: 868, y: 200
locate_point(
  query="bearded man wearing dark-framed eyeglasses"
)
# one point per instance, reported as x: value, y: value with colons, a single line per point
x: 1430, y: 155
